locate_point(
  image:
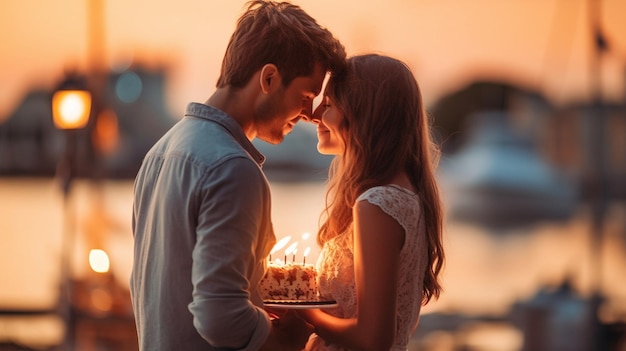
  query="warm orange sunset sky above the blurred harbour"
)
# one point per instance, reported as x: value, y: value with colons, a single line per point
x: 543, y: 42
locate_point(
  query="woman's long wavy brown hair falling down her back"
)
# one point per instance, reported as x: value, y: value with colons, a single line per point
x: 386, y: 131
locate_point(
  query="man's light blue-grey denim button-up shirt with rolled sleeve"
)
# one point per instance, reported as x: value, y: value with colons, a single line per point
x: 202, y: 230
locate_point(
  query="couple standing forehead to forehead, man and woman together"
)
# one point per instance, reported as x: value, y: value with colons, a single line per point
x: 201, y: 213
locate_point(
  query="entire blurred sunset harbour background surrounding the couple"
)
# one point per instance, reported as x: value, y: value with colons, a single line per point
x: 527, y: 100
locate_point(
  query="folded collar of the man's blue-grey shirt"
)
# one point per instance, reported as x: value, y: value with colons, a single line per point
x: 220, y: 117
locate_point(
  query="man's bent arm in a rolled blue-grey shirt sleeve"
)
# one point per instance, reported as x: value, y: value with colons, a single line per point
x: 224, y: 257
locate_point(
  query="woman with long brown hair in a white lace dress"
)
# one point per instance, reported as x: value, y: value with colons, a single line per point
x: 381, y: 240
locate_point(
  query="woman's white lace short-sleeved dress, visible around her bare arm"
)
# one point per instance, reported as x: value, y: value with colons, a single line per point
x: 336, y: 266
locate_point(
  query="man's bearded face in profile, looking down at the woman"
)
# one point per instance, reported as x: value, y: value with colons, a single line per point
x: 281, y: 110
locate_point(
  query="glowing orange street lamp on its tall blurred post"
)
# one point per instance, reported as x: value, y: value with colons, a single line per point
x: 71, y: 107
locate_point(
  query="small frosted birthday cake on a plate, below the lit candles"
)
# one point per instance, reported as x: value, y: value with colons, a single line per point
x: 291, y: 281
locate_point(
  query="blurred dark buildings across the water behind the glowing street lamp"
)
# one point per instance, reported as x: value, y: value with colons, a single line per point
x: 134, y: 99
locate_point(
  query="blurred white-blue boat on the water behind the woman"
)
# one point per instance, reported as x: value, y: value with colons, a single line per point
x: 498, y: 180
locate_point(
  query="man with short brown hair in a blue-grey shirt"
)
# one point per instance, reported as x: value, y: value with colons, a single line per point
x: 201, y: 213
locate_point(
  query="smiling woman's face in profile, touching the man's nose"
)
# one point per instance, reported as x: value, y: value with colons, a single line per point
x: 329, y: 120
